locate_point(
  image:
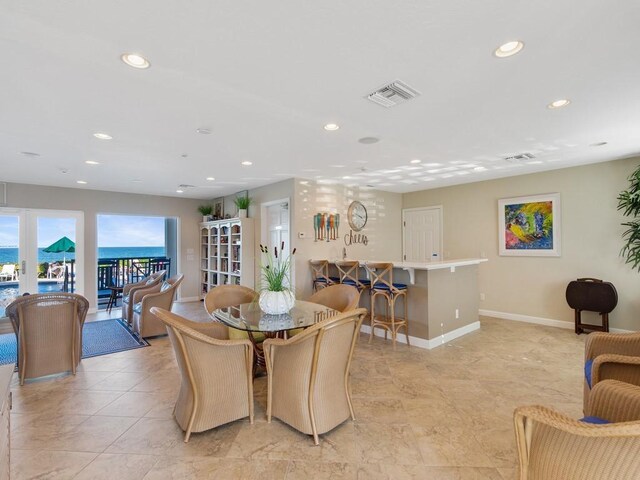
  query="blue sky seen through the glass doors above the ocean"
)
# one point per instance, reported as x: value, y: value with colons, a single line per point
x: 113, y: 231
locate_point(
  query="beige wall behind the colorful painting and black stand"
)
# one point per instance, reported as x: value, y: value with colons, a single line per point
x: 535, y: 286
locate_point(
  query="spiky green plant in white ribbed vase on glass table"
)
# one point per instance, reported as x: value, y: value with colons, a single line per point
x: 276, y: 296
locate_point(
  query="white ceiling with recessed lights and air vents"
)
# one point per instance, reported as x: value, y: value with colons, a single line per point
x: 266, y: 76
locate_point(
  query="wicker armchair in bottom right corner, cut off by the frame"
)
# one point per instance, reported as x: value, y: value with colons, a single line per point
x: 552, y: 446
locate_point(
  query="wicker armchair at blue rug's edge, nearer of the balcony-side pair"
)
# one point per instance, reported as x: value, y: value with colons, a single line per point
x: 145, y: 323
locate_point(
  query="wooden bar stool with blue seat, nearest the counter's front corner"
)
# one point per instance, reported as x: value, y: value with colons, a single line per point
x: 382, y: 285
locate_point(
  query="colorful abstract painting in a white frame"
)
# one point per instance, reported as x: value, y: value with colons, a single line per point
x: 530, y: 225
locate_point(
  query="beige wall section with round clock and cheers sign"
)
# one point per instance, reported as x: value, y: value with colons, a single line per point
x: 383, y: 226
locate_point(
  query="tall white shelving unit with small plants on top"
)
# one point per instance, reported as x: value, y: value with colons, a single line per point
x: 226, y: 253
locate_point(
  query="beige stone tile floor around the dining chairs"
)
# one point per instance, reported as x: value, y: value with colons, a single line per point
x: 439, y: 414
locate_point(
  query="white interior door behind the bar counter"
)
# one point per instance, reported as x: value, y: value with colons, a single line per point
x: 422, y: 234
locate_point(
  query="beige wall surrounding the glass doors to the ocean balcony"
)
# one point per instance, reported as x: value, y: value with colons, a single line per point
x: 93, y: 202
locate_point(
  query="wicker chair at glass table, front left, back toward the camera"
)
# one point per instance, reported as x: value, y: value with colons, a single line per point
x: 217, y: 376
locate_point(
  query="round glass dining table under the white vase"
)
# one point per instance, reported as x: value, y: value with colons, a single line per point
x: 251, y: 319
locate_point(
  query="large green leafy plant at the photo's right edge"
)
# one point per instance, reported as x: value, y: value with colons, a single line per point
x: 629, y: 203
